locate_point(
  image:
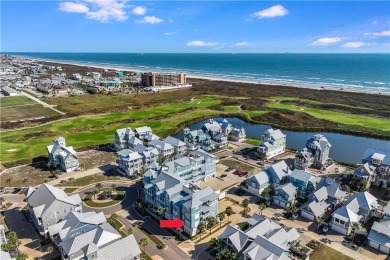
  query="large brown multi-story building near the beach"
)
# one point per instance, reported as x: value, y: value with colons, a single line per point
x: 152, y: 79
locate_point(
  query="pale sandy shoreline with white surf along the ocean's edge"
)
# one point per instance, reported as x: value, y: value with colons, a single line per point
x: 201, y: 77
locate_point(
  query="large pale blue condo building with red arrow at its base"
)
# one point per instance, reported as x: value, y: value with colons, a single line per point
x: 171, y: 192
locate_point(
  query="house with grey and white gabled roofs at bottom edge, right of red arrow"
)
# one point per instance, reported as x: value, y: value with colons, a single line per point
x: 263, y: 239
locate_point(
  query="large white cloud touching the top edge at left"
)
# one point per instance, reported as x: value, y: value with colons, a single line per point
x: 100, y: 10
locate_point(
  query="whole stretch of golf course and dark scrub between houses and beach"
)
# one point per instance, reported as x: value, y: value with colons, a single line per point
x: 92, y: 119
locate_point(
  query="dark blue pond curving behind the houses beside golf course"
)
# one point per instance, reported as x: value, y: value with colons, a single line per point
x: 345, y: 148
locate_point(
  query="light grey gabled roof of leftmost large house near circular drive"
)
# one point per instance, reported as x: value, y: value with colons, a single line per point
x: 45, y: 195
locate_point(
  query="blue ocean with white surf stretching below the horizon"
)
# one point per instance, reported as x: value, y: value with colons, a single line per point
x: 356, y: 72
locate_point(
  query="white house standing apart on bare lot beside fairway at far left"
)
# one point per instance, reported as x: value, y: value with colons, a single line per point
x: 61, y: 156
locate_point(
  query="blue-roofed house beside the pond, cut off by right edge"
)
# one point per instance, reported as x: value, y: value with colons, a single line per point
x: 379, y: 162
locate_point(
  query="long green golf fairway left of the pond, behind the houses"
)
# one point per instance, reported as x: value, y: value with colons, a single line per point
x: 98, y: 129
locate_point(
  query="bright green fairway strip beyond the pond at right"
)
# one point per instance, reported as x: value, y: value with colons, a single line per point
x: 343, y: 118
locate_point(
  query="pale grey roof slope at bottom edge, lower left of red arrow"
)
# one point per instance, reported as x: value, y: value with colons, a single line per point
x: 115, y: 251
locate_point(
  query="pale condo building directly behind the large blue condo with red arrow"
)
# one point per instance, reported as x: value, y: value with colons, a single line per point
x: 198, y: 166
